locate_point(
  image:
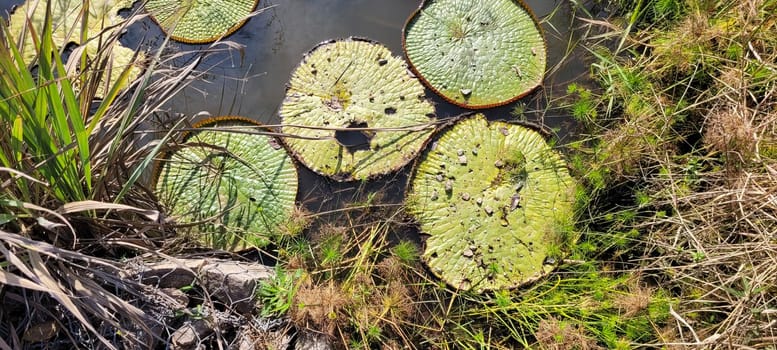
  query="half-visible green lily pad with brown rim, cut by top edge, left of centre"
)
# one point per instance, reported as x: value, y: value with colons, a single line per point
x: 200, y: 21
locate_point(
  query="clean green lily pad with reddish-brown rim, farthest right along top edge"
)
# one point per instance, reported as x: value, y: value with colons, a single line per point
x: 476, y: 54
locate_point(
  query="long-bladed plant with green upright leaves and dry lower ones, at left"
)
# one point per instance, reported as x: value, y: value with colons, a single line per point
x: 69, y: 164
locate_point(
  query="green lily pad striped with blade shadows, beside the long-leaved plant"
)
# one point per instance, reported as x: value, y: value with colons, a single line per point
x: 240, y: 184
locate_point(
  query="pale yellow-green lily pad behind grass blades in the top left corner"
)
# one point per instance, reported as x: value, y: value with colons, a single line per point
x: 102, y: 20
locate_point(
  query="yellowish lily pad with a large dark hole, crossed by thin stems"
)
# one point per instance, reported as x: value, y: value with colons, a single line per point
x: 356, y: 111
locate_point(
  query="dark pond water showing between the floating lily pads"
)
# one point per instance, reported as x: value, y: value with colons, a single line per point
x: 252, y: 81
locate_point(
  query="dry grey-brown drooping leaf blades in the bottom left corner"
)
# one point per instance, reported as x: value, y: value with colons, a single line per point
x: 70, y: 278
